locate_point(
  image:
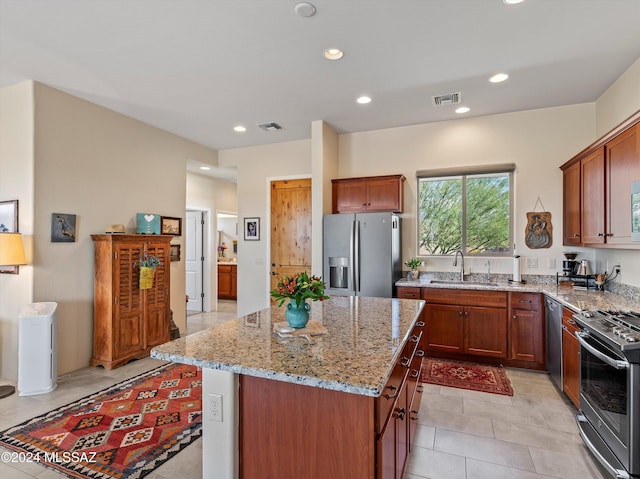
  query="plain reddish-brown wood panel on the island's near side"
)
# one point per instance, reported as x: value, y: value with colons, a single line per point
x: 296, y: 431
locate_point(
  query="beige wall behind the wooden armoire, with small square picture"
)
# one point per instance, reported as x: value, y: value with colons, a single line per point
x: 103, y: 167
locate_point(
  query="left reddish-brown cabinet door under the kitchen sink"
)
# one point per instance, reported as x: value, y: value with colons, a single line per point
x: 444, y: 328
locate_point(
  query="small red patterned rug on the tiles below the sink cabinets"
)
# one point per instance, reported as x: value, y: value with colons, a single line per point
x: 458, y: 374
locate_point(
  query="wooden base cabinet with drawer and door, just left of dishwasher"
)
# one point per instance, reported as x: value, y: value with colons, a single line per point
x: 526, y: 329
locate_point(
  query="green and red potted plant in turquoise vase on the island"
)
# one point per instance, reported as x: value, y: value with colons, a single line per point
x: 297, y: 289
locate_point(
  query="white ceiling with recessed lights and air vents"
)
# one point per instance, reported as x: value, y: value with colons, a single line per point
x: 197, y: 68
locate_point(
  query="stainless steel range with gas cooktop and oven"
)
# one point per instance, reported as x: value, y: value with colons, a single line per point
x: 609, y: 422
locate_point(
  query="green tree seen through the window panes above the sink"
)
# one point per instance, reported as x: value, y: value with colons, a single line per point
x: 471, y: 213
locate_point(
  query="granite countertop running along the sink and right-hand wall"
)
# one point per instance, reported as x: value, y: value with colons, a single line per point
x: 576, y: 300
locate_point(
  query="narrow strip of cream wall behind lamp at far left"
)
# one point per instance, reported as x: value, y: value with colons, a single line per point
x: 16, y: 183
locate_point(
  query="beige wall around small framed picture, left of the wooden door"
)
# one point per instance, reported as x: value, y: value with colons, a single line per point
x: 257, y: 167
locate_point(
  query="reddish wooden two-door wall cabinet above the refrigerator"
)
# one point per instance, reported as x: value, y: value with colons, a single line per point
x: 368, y: 194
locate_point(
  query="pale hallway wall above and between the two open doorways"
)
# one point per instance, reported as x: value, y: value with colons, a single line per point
x: 211, y: 195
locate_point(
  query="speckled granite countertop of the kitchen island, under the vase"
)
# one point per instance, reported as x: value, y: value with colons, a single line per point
x: 364, y: 340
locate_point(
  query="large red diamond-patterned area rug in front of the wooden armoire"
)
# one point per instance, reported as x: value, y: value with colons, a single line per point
x: 123, y: 432
